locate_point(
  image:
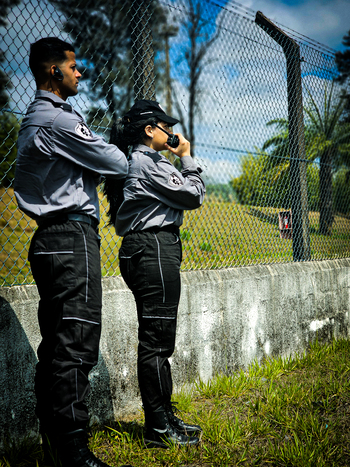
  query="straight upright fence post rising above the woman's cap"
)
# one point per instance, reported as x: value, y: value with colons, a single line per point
x: 142, y: 50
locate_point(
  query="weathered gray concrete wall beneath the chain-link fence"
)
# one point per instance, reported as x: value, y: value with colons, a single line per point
x: 227, y: 319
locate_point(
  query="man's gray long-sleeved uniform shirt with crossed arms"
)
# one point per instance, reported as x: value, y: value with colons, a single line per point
x: 59, y: 160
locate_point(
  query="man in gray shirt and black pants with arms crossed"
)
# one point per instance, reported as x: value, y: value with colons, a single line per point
x: 59, y: 163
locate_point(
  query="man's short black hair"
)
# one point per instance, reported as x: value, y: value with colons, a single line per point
x: 46, y: 50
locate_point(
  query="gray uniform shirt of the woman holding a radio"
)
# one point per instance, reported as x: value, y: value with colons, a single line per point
x: 156, y: 193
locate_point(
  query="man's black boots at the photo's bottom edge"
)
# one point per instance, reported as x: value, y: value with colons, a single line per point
x: 71, y: 450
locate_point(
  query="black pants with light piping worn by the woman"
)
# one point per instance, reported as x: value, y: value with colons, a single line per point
x: 150, y: 265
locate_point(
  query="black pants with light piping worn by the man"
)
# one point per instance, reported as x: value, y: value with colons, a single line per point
x: 65, y: 261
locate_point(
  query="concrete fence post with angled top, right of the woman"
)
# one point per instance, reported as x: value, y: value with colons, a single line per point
x: 298, y: 182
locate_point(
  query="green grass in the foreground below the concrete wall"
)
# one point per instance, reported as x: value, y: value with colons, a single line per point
x: 286, y: 412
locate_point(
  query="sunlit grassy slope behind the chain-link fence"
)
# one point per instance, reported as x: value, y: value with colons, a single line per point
x: 218, y: 235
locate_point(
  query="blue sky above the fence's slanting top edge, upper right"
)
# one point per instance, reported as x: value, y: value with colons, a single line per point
x: 325, y: 21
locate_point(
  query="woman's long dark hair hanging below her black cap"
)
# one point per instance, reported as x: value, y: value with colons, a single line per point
x: 124, y: 134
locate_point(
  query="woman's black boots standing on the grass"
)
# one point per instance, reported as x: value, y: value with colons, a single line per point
x: 159, y: 432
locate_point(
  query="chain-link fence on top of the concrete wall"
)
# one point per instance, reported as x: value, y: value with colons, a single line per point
x: 261, y: 106
